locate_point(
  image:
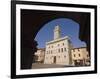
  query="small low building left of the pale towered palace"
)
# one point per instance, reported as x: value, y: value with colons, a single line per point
x: 39, y: 55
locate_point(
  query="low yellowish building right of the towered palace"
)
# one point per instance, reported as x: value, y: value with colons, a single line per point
x: 80, y: 56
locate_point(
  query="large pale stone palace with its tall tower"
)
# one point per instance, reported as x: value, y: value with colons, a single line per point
x: 58, y: 51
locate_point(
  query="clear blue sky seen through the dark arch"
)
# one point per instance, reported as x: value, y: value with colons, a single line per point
x: 68, y: 28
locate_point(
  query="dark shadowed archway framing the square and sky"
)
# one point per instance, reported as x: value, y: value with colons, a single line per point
x: 33, y: 20
